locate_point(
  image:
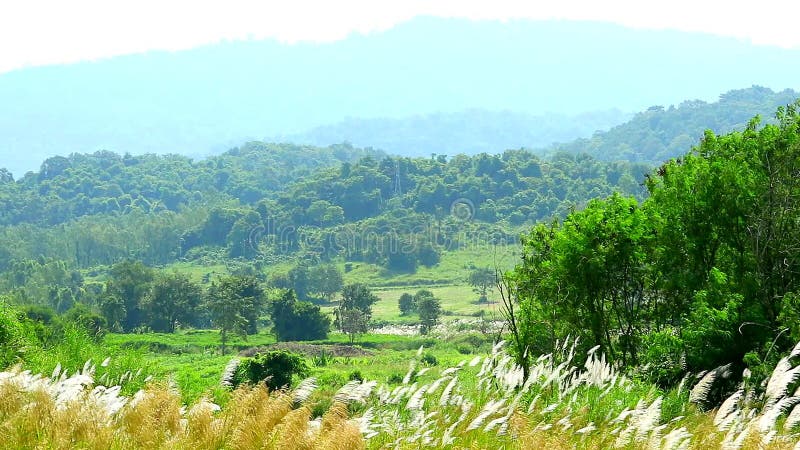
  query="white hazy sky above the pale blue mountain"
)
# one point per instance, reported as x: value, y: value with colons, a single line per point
x: 36, y: 32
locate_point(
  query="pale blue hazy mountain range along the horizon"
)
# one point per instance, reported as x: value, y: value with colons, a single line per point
x: 210, y: 98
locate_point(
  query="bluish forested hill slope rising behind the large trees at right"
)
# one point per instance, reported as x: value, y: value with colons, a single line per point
x: 660, y: 133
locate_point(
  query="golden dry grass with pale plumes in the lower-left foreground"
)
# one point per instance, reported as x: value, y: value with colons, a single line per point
x: 32, y: 415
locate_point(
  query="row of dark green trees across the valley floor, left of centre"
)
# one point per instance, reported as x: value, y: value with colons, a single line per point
x: 136, y: 298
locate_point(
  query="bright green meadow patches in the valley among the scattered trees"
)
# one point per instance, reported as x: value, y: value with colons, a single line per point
x: 193, y: 361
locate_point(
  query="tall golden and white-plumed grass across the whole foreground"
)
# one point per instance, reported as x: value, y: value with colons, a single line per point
x: 482, y: 402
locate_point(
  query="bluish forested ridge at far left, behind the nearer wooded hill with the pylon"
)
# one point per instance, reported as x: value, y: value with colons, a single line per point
x: 108, y: 183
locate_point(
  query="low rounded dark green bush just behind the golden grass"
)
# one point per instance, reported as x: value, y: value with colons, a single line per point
x: 275, y: 369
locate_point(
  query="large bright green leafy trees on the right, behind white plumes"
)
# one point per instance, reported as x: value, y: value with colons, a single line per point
x: 700, y: 274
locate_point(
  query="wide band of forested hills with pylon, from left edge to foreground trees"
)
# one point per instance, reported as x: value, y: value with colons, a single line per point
x: 96, y: 209
